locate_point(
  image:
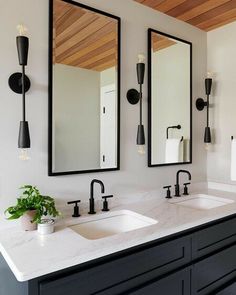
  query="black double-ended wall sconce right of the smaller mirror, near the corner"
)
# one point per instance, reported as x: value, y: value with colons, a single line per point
x: 201, y: 104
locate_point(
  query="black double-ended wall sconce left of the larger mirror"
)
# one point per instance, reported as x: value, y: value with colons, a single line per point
x: 20, y: 83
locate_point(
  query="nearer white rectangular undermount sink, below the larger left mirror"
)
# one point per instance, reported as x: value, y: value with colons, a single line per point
x: 112, y: 223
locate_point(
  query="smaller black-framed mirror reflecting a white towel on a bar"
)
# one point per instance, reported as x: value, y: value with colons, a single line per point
x: 169, y: 100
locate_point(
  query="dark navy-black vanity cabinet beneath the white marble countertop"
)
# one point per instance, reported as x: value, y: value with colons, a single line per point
x: 199, y: 261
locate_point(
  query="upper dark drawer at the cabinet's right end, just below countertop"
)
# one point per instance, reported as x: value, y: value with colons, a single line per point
x: 213, y: 238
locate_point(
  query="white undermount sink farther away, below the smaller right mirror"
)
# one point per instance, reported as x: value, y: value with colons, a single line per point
x: 204, y: 202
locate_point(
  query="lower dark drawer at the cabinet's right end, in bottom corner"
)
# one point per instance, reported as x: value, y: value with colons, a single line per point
x: 213, y: 272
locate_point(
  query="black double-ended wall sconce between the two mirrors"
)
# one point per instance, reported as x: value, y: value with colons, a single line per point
x: 134, y: 97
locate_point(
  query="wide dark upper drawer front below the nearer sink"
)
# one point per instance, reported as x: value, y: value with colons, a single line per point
x: 161, y: 258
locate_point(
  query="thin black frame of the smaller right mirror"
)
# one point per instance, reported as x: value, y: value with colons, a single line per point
x: 150, y: 31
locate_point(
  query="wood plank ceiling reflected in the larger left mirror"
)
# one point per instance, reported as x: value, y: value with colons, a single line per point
x: 83, y: 38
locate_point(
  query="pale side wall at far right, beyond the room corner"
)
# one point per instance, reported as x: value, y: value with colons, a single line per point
x: 222, y: 62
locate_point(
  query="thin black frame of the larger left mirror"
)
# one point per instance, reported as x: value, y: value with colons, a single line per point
x: 50, y: 90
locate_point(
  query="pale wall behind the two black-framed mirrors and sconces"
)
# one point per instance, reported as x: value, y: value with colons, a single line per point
x: 134, y: 175
